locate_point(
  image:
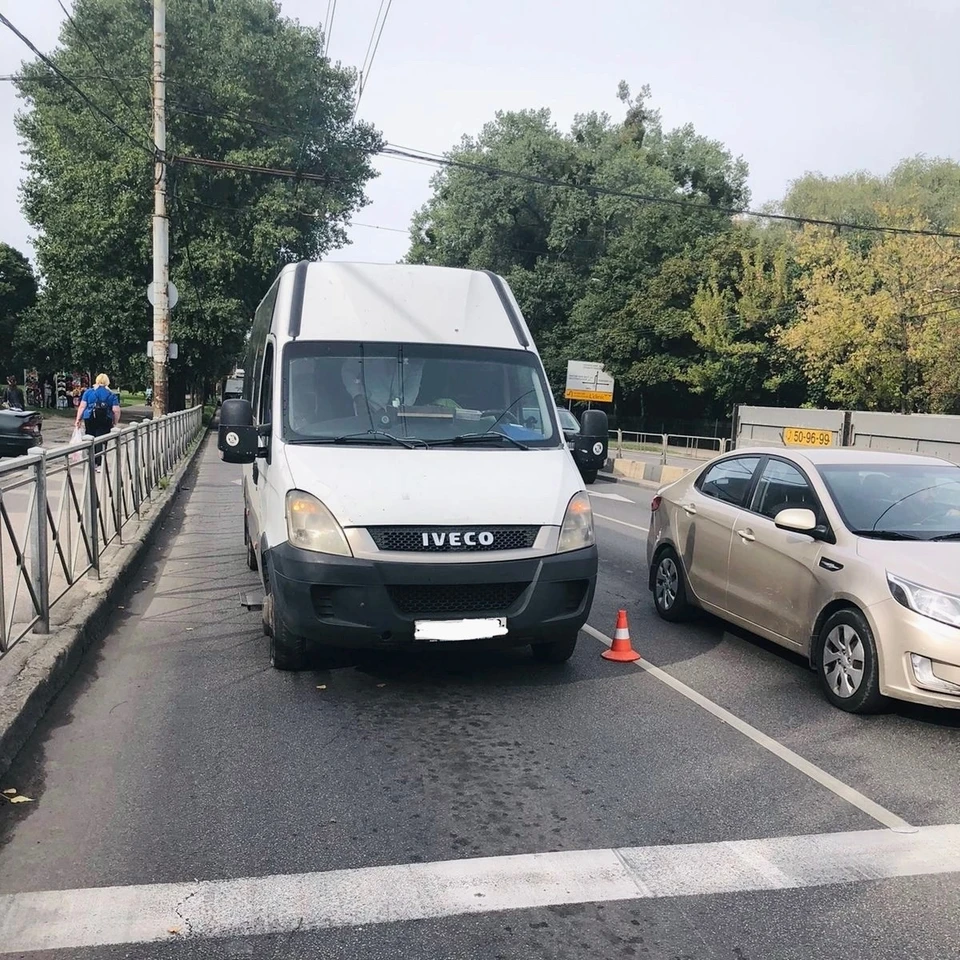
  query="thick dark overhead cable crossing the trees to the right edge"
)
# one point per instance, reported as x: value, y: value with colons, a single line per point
x: 596, y: 190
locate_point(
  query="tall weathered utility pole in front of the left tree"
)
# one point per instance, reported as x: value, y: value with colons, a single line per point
x: 161, y: 225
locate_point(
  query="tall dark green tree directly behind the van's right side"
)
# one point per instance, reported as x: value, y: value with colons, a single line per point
x: 584, y: 264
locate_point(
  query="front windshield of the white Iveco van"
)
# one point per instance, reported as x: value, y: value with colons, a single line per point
x: 434, y: 394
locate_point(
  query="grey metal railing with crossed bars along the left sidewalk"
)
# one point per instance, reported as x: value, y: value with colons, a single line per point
x: 60, y: 509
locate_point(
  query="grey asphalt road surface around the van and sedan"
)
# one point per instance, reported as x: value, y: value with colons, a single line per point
x: 358, y: 799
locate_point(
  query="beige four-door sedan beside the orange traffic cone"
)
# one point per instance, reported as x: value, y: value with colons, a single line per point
x: 849, y: 557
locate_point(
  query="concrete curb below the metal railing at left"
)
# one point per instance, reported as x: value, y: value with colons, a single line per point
x: 39, y: 667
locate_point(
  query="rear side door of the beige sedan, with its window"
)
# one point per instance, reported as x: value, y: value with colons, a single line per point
x: 706, y: 514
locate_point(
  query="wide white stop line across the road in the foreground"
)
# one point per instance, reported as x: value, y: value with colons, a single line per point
x: 254, y: 906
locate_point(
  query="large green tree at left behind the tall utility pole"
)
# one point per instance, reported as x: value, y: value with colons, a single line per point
x: 245, y: 85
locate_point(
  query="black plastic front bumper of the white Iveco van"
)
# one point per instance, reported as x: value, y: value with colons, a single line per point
x: 345, y: 602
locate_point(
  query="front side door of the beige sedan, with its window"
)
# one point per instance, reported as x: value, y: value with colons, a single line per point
x: 774, y: 574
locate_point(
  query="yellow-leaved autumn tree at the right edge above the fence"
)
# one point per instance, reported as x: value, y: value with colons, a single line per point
x: 877, y: 327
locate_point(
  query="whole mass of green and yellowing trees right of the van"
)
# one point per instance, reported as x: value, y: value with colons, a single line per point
x: 691, y: 309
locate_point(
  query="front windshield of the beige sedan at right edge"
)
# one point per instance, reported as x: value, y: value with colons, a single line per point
x: 897, y: 501
